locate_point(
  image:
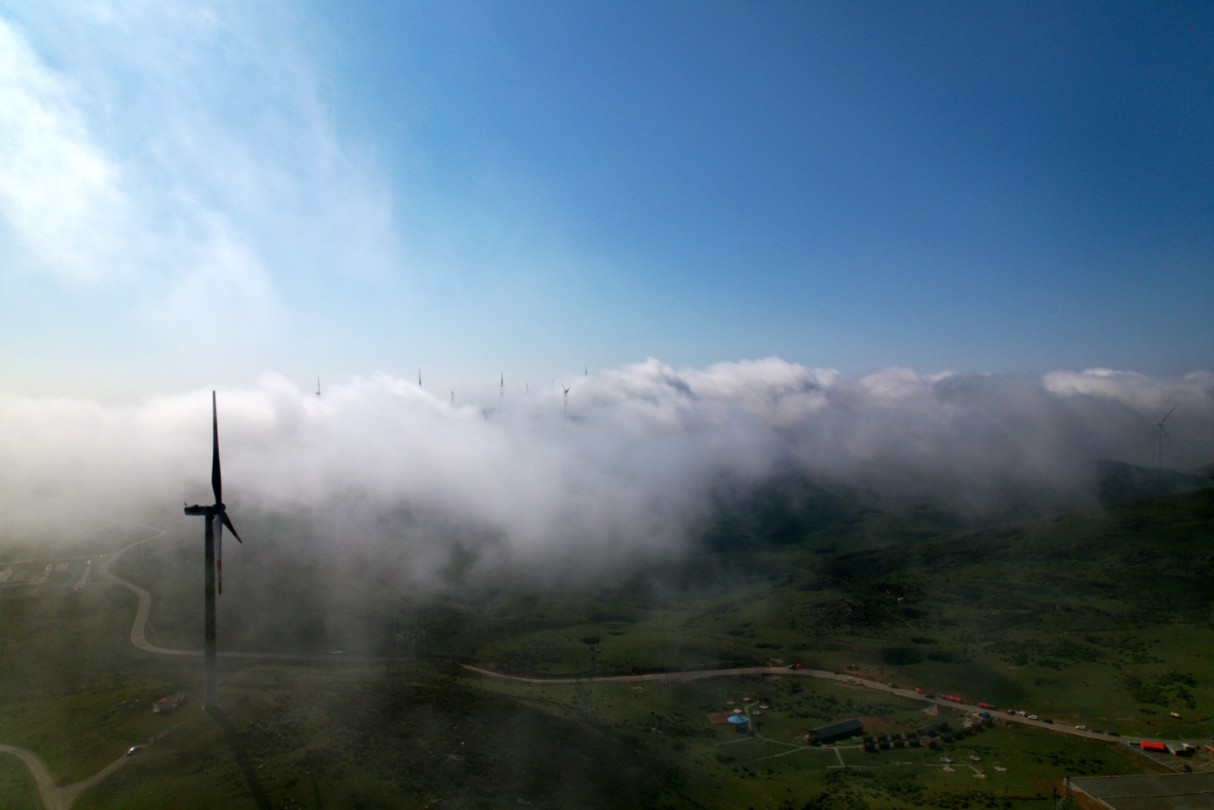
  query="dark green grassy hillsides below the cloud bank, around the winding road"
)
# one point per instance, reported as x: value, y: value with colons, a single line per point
x: 1098, y: 619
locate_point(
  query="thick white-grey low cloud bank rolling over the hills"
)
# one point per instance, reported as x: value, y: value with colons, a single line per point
x: 631, y: 471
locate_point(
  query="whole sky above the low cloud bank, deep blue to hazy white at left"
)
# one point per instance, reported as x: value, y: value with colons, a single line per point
x: 192, y: 195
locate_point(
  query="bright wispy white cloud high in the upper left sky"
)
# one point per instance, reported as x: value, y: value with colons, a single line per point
x: 173, y: 148
